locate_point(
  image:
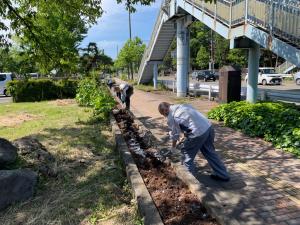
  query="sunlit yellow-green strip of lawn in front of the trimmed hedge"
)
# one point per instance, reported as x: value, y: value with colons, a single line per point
x: 48, y: 115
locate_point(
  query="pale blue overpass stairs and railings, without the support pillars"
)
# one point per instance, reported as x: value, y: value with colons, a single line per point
x: 273, y: 24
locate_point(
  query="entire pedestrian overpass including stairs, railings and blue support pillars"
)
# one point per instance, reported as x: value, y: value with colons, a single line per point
x: 251, y: 24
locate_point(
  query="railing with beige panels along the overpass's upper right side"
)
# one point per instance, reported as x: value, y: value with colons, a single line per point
x: 280, y: 18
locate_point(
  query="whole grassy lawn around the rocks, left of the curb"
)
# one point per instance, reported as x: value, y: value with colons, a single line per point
x: 90, y: 187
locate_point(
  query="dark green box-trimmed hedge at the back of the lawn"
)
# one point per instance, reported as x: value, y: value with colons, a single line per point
x: 41, y: 89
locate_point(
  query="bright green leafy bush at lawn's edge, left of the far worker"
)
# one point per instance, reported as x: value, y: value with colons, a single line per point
x: 92, y: 94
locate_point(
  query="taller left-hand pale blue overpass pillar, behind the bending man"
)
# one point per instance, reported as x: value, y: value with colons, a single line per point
x: 182, y: 57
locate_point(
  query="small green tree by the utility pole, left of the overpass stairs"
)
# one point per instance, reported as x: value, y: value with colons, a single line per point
x: 130, y: 54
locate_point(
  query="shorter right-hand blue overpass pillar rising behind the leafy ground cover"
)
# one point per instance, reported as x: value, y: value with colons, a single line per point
x: 253, y: 67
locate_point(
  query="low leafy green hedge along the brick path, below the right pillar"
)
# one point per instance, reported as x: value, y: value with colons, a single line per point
x: 278, y: 123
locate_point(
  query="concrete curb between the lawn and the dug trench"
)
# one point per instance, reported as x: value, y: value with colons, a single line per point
x: 145, y: 203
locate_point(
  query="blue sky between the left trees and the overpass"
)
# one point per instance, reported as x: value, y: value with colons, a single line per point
x: 112, y: 29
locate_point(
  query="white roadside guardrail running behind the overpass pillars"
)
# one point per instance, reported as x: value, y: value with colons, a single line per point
x: 212, y: 91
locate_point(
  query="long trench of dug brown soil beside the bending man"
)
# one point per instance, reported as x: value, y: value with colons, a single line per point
x: 175, y: 202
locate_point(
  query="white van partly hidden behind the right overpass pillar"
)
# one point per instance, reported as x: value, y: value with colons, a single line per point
x: 267, y: 75
